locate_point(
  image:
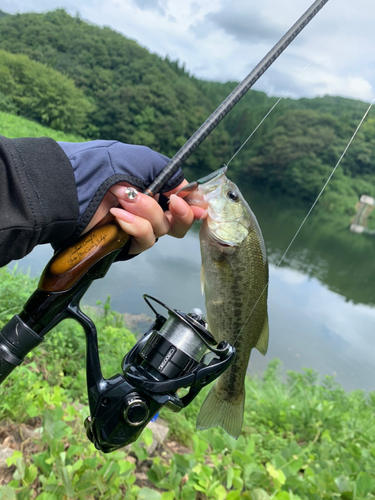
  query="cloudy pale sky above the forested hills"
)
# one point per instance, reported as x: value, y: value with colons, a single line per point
x: 223, y: 40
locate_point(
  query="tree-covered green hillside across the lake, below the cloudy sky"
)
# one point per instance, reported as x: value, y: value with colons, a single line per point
x: 134, y: 96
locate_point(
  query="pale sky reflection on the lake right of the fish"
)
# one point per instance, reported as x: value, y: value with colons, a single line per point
x: 314, y: 327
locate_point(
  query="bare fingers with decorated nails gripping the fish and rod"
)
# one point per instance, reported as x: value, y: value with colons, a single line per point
x: 143, y: 218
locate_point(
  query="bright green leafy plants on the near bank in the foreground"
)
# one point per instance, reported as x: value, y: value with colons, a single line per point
x: 302, y: 439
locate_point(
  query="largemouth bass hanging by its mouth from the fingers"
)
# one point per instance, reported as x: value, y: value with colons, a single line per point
x: 234, y: 279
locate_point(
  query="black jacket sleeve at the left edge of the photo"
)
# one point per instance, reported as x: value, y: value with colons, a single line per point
x: 38, y: 196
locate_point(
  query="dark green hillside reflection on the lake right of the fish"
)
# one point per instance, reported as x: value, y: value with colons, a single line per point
x: 324, y: 249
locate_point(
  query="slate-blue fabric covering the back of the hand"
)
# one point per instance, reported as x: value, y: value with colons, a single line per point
x: 98, y: 165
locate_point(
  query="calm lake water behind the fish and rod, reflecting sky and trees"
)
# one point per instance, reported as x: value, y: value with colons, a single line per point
x: 321, y: 298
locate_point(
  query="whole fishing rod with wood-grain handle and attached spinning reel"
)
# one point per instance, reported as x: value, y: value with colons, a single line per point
x: 171, y: 354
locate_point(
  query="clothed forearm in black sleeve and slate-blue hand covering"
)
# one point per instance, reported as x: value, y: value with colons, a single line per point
x: 50, y: 192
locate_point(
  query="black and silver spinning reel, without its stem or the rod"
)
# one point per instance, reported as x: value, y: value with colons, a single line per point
x: 170, y: 356
